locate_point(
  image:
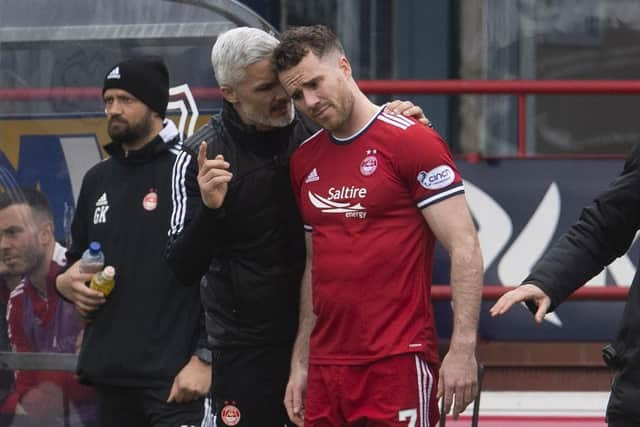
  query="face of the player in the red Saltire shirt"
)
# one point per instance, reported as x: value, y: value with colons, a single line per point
x: 319, y: 88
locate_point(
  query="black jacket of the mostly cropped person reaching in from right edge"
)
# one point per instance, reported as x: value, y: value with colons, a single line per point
x: 604, y: 231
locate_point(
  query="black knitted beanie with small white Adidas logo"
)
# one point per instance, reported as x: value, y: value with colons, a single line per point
x: 146, y: 78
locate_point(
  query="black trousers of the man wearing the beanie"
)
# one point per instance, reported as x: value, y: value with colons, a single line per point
x: 145, y: 407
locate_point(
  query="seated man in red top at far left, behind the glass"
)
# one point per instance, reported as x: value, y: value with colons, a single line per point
x: 38, y: 319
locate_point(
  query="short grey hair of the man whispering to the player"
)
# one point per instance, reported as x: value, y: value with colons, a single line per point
x: 236, y: 49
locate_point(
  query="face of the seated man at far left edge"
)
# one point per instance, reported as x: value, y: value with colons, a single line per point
x: 20, y: 247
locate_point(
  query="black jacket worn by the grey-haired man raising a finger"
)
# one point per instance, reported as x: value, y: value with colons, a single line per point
x: 252, y: 247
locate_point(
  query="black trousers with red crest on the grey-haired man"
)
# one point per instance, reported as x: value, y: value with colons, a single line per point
x: 249, y: 385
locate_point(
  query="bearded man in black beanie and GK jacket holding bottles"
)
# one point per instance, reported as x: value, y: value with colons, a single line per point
x: 143, y: 348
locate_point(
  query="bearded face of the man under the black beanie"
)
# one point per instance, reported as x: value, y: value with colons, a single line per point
x: 129, y: 120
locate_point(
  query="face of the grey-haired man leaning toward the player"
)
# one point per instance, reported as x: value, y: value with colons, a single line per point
x: 259, y: 98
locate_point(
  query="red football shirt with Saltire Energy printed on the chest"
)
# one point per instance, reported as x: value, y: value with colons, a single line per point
x: 361, y: 198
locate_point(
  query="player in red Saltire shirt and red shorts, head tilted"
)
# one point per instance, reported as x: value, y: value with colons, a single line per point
x: 375, y: 191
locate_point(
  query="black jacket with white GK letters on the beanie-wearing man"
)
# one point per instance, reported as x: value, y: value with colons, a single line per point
x: 149, y: 326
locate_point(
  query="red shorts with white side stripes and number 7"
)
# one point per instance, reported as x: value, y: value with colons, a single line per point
x: 395, y: 391
